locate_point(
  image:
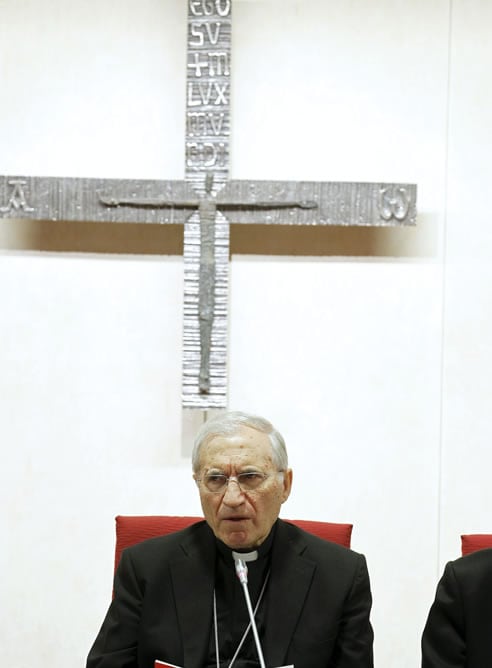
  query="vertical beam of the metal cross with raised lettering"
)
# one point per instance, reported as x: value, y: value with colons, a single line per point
x: 206, y: 232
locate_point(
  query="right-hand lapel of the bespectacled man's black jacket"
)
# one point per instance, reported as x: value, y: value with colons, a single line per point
x: 290, y: 578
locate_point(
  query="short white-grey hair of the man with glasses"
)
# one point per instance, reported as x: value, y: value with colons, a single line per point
x: 228, y: 423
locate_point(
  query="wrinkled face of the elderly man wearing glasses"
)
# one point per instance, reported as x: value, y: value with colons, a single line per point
x: 242, y: 519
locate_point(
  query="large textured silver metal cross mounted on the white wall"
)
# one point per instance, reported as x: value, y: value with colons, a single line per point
x: 201, y: 201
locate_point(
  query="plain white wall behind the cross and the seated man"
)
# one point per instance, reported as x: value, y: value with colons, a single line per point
x: 373, y: 363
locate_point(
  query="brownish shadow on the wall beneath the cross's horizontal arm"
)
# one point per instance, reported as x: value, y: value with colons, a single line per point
x: 143, y: 239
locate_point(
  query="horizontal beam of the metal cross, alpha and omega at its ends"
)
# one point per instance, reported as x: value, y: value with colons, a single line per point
x: 261, y: 202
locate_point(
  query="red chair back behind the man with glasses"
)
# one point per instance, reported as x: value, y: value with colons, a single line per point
x: 131, y: 529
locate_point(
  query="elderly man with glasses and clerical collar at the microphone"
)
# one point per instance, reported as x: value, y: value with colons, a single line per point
x: 178, y: 599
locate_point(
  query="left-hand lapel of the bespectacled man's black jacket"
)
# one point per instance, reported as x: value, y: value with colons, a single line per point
x: 193, y: 581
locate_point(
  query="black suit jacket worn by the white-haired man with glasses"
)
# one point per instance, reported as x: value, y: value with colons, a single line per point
x: 317, y: 616
